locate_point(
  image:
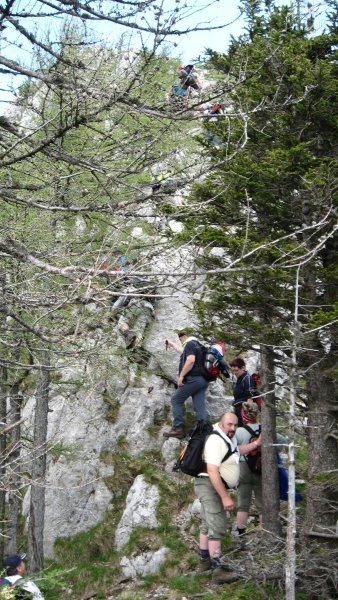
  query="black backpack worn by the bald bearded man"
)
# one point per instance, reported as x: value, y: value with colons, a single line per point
x: 190, y: 460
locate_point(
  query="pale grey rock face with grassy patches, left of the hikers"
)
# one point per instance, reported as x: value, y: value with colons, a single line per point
x: 111, y: 398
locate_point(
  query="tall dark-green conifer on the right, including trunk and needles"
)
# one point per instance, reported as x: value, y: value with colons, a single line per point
x: 269, y: 204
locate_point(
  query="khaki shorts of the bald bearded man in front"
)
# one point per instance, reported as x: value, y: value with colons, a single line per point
x: 213, y: 515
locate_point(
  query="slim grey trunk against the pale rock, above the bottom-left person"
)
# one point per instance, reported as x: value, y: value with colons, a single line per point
x: 37, y: 499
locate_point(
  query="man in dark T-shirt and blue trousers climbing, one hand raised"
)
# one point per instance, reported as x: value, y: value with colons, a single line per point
x: 190, y: 382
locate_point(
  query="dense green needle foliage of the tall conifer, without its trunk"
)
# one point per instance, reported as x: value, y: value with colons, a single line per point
x: 269, y: 189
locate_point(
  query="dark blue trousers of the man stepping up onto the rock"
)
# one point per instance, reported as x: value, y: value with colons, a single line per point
x: 194, y: 386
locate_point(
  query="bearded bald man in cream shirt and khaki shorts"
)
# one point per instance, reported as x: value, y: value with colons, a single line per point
x: 212, y: 489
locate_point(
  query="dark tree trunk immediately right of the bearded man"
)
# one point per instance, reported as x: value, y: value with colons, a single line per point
x: 270, y: 483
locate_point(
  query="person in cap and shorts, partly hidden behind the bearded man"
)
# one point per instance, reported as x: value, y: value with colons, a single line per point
x: 249, y: 482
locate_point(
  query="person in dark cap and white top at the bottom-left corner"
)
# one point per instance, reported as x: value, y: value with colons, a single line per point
x: 15, y: 571
